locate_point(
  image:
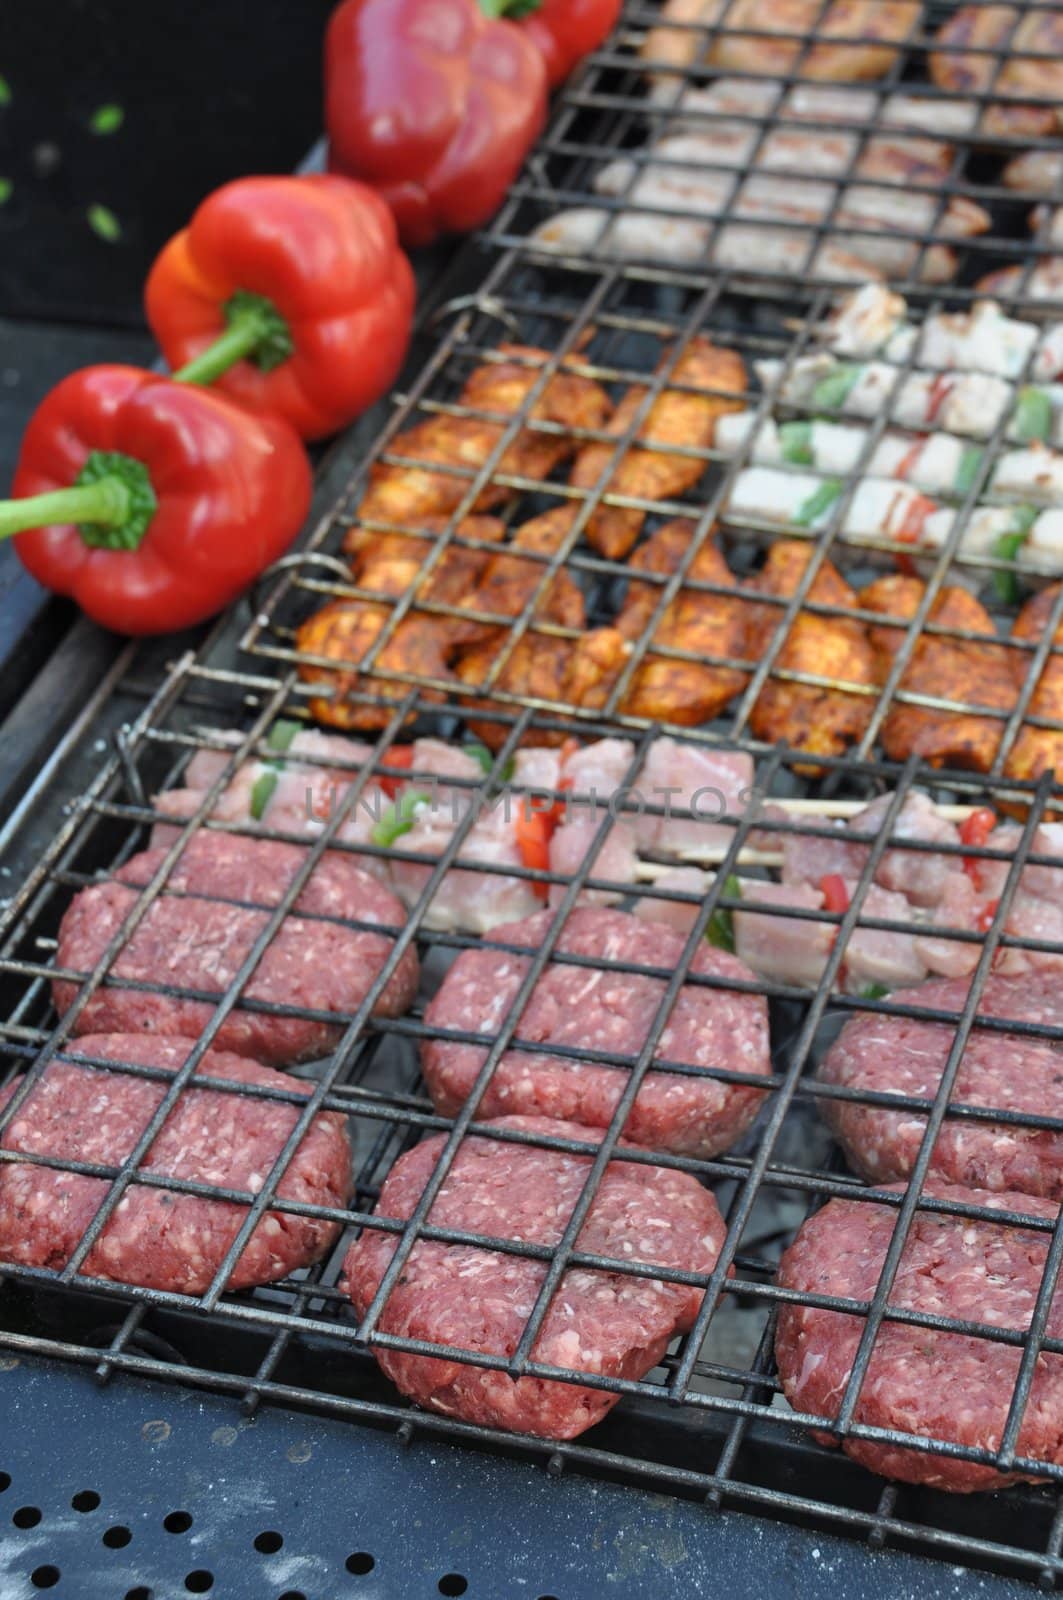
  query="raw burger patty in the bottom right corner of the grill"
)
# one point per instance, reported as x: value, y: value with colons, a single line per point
x: 928, y: 1382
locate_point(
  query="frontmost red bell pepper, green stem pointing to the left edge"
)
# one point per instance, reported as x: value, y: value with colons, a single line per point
x: 151, y: 503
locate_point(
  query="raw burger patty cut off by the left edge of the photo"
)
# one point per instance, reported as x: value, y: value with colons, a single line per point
x: 158, y: 1238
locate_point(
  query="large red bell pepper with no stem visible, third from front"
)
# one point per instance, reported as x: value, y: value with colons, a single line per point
x: 435, y: 105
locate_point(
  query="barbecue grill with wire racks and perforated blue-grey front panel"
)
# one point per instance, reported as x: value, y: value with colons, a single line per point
x: 273, y: 1396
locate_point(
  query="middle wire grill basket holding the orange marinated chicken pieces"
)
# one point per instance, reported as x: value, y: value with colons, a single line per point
x: 625, y: 350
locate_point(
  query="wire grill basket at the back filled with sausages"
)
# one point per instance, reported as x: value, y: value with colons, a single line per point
x: 734, y: 140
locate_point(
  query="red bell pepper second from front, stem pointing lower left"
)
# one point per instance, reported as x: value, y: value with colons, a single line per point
x: 289, y: 294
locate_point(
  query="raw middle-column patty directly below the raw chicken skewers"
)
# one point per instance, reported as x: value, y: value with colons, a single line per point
x: 603, y: 1010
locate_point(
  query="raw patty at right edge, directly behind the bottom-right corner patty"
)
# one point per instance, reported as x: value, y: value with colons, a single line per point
x: 1005, y: 1071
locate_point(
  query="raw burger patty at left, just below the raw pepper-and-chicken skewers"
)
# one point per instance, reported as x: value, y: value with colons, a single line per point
x: 198, y: 943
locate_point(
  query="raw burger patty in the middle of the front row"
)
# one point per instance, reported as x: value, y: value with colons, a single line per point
x: 479, y: 1300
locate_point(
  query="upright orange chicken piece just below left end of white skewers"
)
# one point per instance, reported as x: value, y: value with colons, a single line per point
x: 824, y: 721
